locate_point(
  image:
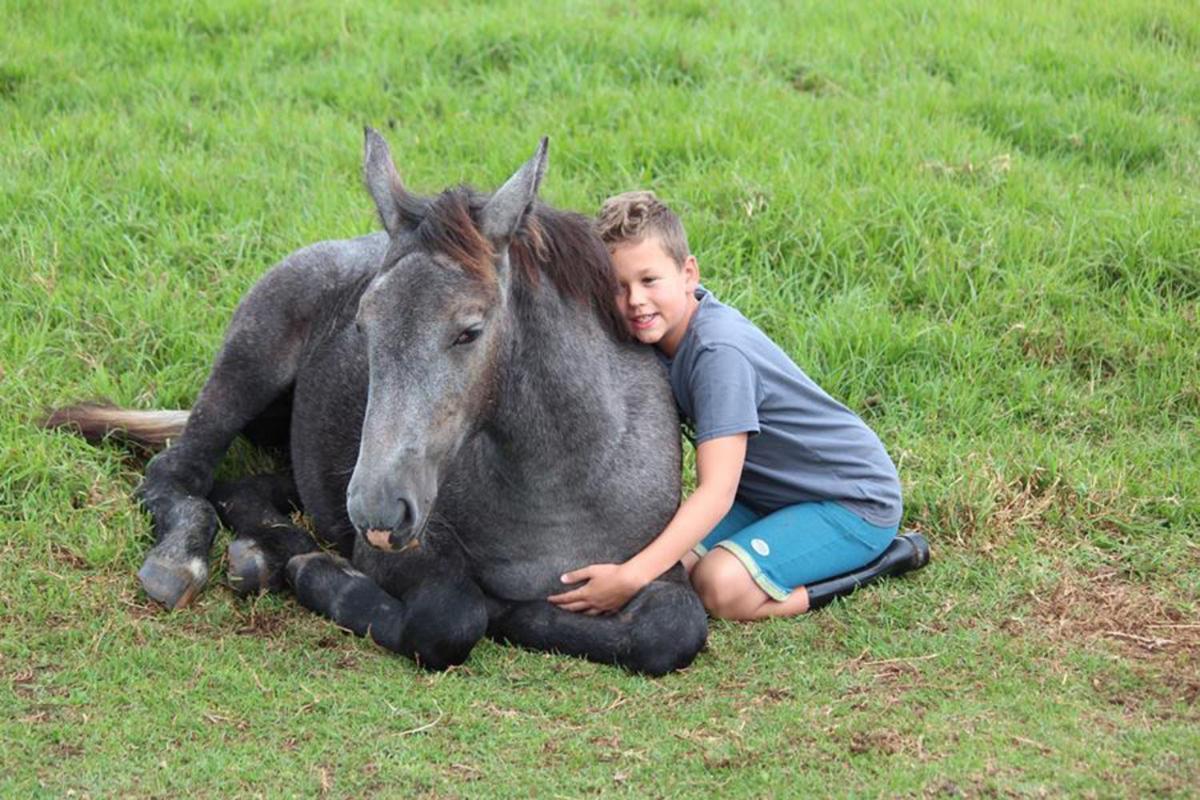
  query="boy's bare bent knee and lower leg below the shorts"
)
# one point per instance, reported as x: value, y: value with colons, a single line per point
x: 730, y: 593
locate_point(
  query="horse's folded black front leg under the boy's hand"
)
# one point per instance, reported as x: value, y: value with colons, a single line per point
x: 659, y: 631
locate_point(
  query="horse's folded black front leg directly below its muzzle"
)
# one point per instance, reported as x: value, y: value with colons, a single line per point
x: 435, y: 623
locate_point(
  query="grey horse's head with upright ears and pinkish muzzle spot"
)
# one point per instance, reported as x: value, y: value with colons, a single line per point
x: 435, y: 321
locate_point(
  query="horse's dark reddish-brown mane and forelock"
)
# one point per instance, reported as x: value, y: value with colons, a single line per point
x: 553, y: 244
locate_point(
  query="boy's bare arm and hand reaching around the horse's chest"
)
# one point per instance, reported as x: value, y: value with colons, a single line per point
x: 610, y: 586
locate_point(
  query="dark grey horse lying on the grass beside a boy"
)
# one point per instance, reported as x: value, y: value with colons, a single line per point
x: 466, y: 420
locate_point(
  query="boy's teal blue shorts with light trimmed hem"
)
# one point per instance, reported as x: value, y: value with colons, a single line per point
x: 799, y: 545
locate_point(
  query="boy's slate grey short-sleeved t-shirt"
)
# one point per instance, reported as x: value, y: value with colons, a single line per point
x: 729, y: 378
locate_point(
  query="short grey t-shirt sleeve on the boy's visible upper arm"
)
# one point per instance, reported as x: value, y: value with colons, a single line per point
x: 724, y: 390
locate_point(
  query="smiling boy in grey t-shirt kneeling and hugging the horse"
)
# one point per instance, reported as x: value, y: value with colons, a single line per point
x: 793, y: 488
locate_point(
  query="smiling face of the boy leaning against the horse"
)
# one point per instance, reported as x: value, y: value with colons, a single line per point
x: 657, y: 296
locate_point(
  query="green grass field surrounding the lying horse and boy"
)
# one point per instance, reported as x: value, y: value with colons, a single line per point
x: 977, y: 224
